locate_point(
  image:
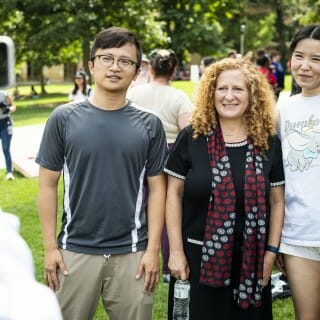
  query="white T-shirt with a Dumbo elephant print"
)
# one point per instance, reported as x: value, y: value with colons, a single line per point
x: 300, y: 137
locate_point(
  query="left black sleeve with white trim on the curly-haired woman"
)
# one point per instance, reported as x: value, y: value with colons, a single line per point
x: 178, y: 162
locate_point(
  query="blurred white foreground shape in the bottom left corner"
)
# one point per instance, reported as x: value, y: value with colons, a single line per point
x: 21, y: 296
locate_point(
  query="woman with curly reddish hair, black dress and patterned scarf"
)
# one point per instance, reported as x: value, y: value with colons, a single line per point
x: 225, y: 196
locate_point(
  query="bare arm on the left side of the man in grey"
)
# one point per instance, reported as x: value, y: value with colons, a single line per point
x: 47, y: 207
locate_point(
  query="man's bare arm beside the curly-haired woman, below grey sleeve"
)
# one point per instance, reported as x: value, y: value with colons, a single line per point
x: 150, y: 263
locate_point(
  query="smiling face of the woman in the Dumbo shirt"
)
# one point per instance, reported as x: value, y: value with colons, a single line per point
x: 305, y: 66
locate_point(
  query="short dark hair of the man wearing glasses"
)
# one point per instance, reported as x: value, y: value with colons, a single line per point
x: 116, y: 37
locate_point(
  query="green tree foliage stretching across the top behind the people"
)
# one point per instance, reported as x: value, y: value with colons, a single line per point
x: 49, y: 32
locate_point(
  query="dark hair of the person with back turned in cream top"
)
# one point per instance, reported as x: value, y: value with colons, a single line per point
x: 163, y: 62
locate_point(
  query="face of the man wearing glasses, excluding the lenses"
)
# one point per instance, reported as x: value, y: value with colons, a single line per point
x: 114, y: 78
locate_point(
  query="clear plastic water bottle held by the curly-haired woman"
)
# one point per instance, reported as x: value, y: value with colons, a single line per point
x: 181, y: 300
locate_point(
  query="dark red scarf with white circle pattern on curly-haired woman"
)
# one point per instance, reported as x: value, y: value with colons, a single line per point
x: 218, y: 242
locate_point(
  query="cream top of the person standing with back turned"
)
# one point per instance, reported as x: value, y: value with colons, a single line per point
x: 167, y: 102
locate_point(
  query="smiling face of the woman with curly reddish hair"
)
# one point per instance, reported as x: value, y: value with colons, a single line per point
x: 231, y: 95
